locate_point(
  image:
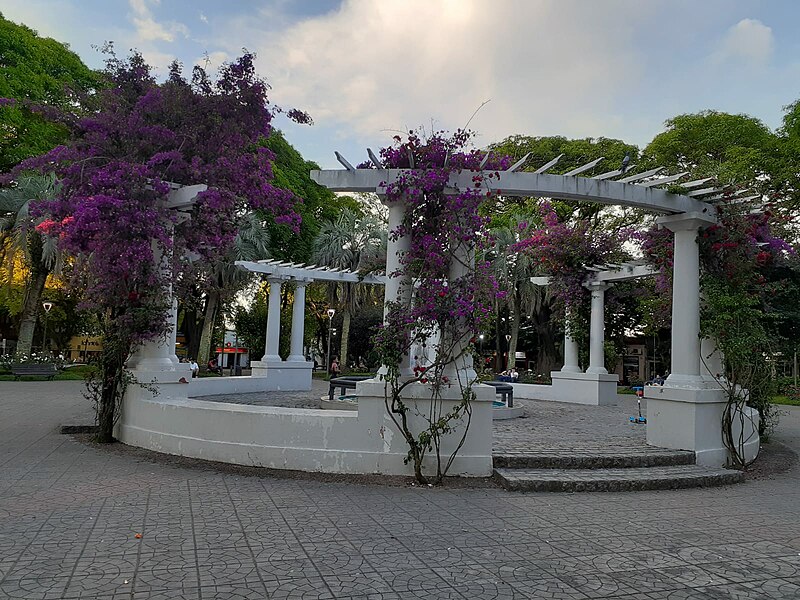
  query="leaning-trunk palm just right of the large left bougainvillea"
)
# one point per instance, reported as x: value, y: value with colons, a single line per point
x: 251, y: 243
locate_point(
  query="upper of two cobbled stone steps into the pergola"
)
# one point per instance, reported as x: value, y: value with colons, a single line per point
x: 595, y: 458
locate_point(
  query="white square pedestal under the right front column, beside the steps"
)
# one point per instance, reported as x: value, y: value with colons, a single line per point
x: 691, y: 419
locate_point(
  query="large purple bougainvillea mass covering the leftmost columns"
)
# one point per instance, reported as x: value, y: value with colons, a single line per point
x: 112, y: 210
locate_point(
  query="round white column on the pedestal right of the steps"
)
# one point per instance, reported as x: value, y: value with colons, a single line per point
x: 685, y: 369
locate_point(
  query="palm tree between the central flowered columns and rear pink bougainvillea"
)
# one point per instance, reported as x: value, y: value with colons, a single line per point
x: 513, y: 271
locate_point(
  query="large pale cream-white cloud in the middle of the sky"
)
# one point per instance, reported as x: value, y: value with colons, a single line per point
x: 372, y: 66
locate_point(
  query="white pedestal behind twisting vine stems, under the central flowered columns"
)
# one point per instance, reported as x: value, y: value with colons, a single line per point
x: 474, y: 459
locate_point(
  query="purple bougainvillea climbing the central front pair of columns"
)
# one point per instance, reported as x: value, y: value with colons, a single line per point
x: 451, y: 295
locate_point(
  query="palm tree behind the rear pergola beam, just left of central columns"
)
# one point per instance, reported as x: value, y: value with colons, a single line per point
x: 352, y: 243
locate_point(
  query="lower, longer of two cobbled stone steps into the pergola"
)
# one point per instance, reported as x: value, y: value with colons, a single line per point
x: 614, y: 480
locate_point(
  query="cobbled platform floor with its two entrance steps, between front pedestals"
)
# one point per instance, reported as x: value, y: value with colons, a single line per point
x: 574, y: 448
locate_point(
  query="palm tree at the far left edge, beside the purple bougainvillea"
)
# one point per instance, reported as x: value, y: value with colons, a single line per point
x: 18, y: 235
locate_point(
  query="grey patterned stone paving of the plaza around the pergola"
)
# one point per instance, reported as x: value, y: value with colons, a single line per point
x: 82, y: 521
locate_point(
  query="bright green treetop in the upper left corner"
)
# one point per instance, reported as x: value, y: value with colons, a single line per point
x: 36, y: 72
